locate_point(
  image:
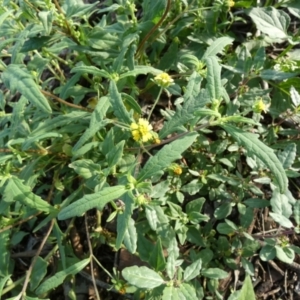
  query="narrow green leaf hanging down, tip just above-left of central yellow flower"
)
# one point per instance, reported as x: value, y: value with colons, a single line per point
x: 117, y: 104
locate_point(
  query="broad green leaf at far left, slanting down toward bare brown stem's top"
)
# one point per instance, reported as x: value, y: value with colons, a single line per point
x: 23, y: 194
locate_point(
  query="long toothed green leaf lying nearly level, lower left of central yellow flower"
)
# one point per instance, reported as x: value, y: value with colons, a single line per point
x: 99, y: 200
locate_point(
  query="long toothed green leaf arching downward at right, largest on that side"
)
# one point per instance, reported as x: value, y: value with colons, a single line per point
x: 255, y: 147
